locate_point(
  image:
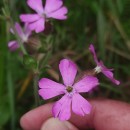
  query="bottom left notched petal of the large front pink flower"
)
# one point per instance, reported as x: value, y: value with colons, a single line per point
x: 62, y: 108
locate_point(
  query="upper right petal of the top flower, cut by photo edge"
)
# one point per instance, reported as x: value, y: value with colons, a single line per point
x: 52, y: 5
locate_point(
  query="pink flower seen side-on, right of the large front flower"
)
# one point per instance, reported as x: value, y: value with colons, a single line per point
x: 101, y: 68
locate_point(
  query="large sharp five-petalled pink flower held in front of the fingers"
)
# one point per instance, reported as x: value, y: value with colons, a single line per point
x: 71, y: 90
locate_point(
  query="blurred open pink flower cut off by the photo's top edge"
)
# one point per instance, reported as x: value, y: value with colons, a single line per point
x: 53, y: 9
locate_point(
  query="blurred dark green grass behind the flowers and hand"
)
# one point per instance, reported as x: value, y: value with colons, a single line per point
x: 105, y: 23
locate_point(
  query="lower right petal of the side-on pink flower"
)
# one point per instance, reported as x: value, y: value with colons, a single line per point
x: 110, y: 75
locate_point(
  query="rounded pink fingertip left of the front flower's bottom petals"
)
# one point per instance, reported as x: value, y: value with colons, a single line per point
x: 34, y: 118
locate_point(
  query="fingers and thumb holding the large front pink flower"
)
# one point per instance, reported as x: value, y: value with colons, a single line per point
x: 105, y: 115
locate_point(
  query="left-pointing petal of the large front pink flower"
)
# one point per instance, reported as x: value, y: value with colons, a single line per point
x: 50, y: 88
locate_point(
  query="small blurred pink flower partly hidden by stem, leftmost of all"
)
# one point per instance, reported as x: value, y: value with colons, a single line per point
x: 23, y: 35
